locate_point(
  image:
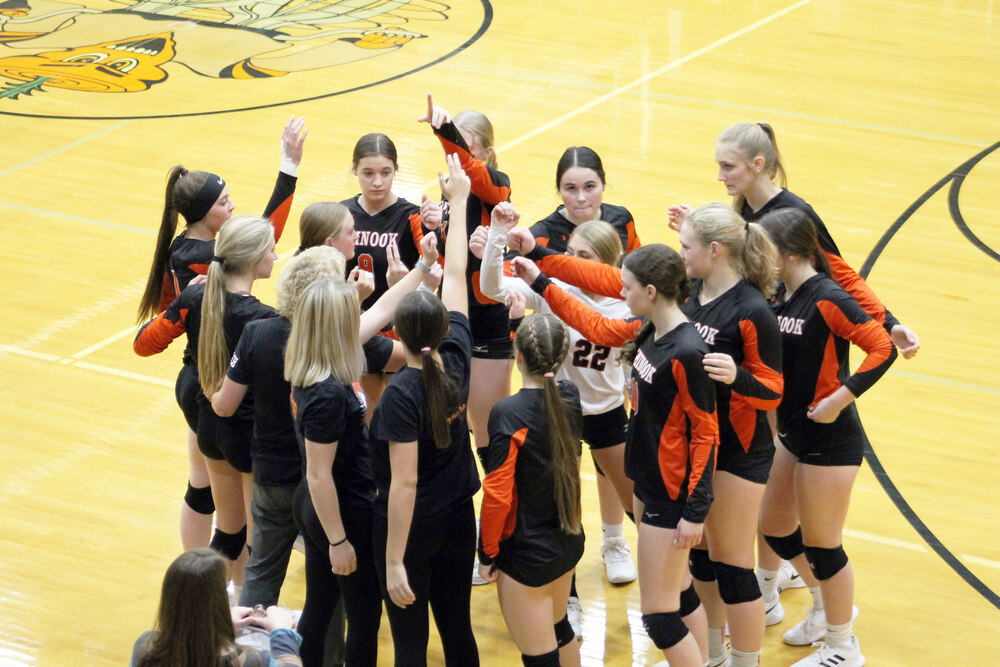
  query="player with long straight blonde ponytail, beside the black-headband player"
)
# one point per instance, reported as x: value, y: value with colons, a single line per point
x: 213, y: 315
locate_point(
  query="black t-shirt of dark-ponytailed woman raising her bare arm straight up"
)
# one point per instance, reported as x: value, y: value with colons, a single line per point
x: 445, y: 477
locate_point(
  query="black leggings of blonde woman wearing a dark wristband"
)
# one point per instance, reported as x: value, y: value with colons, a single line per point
x: 362, y: 600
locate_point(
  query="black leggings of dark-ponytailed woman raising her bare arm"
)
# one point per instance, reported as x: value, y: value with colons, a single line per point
x: 438, y: 562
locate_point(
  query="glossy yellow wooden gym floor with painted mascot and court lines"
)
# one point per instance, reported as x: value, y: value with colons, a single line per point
x: 888, y: 116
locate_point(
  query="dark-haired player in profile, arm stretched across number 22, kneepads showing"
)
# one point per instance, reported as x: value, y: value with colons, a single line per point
x: 673, y: 435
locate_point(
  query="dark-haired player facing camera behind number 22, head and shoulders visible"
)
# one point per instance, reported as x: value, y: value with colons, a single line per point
x: 580, y: 182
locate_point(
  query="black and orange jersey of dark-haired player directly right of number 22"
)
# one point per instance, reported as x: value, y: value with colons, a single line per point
x: 673, y: 433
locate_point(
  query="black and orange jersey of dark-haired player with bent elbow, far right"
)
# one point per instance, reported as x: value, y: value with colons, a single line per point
x: 817, y: 323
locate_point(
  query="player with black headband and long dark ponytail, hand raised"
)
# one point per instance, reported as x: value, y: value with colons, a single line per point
x: 204, y: 202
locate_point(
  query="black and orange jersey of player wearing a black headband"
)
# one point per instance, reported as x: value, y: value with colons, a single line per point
x: 190, y: 257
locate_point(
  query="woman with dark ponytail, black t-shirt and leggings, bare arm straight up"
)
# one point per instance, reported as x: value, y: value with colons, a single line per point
x: 426, y: 476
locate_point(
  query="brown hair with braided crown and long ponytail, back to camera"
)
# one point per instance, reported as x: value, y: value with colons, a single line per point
x: 543, y: 340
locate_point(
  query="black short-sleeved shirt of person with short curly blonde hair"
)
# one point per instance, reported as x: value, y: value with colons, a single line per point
x: 259, y: 362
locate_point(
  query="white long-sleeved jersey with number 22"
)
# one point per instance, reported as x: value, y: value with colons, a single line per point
x: 594, y: 369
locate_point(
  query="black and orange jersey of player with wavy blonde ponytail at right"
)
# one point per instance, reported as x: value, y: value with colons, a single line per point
x: 740, y: 323
